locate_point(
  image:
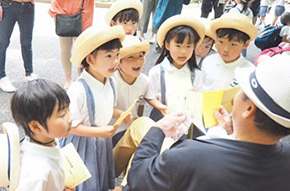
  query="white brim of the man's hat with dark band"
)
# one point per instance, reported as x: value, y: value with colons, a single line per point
x: 243, y: 77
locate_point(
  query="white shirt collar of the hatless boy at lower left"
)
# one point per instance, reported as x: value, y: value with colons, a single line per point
x: 40, y: 150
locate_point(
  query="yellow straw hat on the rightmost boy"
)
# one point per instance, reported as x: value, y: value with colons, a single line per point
x: 236, y: 21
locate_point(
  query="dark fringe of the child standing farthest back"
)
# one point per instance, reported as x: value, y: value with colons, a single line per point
x: 127, y: 15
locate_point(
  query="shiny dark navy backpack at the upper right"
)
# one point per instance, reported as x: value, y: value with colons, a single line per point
x: 269, y: 37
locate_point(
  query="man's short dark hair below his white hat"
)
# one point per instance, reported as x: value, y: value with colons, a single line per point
x: 267, y: 125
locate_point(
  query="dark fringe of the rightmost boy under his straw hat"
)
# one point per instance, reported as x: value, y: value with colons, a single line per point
x: 233, y: 34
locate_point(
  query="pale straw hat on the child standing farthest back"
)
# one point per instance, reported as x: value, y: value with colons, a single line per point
x: 122, y: 5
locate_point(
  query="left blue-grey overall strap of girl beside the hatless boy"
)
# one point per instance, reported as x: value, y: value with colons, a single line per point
x: 90, y: 101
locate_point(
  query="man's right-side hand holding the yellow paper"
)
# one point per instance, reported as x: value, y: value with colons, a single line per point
x: 224, y: 119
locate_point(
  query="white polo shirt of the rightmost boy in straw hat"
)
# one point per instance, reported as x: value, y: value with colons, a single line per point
x: 216, y: 74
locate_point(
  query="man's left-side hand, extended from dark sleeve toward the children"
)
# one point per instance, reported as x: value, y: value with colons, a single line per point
x: 169, y: 123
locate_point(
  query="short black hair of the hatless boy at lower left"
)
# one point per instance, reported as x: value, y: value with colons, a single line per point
x: 35, y: 101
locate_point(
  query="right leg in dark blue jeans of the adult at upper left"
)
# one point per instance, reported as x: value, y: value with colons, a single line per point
x: 26, y: 23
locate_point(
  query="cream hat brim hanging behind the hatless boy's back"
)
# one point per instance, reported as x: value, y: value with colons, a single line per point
x: 12, y: 131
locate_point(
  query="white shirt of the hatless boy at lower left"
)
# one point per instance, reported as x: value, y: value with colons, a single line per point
x: 40, y: 168
